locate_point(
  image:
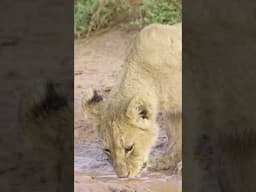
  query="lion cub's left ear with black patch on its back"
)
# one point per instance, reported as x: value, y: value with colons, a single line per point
x: 91, y: 103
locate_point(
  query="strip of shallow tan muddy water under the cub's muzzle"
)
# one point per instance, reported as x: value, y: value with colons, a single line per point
x: 147, y: 184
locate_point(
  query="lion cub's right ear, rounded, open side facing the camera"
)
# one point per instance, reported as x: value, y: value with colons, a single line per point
x: 141, y: 110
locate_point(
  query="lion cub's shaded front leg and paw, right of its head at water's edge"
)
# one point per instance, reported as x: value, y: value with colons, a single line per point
x: 173, y: 158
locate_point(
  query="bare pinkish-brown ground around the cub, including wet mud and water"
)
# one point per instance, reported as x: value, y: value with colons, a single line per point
x: 98, y: 61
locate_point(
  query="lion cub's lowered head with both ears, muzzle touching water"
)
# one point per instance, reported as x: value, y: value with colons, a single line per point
x: 127, y: 130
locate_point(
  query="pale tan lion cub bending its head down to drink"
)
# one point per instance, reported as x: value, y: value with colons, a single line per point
x: 151, y: 81
